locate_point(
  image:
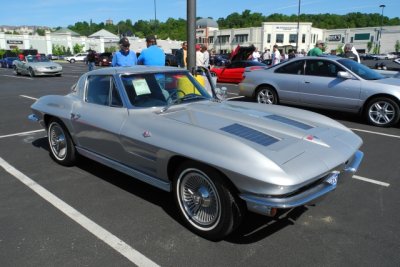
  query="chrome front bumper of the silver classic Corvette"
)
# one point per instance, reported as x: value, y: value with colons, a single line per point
x: 264, y: 205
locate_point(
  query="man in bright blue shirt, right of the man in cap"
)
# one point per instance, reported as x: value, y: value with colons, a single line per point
x: 152, y: 55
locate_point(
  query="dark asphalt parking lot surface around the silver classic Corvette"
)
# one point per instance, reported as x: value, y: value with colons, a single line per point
x: 90, y: 215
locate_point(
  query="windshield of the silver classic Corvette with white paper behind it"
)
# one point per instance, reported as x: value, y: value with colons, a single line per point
x: 164, y: 89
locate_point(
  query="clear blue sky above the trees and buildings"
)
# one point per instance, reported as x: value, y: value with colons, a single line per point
x: 53, y: 13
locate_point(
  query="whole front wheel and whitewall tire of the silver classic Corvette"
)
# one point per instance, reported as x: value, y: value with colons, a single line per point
x: 206, y: 203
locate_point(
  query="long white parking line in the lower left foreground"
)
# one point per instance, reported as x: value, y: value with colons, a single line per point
x: 114, y: 242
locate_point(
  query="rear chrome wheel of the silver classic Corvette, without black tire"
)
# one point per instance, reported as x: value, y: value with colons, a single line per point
x: 57, y: 141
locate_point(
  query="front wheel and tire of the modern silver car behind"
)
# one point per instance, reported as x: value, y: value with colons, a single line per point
x: 382, y: 112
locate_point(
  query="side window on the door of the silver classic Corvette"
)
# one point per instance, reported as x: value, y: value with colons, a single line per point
x: 101, y: 90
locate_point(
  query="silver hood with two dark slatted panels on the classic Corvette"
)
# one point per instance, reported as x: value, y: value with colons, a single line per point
x: 279, y: 133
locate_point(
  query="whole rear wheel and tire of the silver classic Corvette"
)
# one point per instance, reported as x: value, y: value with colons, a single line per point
x: 62, y: 149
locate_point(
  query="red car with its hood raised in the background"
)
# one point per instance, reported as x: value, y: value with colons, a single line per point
x: 233, y: 71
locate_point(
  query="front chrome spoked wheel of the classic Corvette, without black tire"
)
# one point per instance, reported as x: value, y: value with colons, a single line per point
x: 199, y: 199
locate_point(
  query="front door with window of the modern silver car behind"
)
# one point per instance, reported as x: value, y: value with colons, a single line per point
x: 321, y: 87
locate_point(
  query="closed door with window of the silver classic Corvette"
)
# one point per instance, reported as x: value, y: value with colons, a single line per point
x: 97, y: 119
